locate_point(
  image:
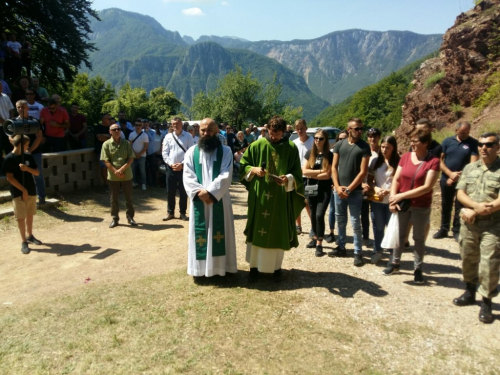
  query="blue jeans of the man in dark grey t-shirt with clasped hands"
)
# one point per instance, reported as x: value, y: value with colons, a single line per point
x: 353, y: 201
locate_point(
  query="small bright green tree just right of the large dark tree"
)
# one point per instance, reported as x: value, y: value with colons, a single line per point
x: 90, y: 94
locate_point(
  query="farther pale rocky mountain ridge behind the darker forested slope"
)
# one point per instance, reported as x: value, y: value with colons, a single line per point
x: 338, y: 64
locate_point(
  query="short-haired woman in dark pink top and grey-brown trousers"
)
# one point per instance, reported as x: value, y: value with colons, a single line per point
x: 417, y: 173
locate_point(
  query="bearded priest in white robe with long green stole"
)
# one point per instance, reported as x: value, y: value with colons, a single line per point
x: 208, y: 170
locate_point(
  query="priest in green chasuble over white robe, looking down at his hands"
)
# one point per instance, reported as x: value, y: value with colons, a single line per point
x: 271, y: 171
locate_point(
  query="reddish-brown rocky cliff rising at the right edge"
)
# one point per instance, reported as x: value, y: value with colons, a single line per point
x: 460, y: 82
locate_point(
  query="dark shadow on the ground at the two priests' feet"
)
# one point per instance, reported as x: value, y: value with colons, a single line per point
x: 337, y: 283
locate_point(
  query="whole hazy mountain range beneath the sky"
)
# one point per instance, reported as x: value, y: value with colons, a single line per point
x: 314, y: 73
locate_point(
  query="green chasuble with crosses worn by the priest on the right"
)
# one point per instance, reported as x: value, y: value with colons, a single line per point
x: 271, y: 210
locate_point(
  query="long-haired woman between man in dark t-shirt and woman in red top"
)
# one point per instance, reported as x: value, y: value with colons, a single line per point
x: 380, y: 174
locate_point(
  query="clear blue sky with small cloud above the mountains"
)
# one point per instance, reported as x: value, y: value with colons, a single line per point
x: 294, y: 19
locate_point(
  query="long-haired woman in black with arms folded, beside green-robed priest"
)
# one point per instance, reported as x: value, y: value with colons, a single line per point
x: 317, y: 169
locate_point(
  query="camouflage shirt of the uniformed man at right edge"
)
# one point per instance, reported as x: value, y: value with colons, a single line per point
x: 480, y: 183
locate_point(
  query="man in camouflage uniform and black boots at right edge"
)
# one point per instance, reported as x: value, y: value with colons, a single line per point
x: 479, y: 192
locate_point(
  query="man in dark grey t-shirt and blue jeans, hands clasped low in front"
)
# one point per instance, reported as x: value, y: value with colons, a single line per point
x: 349, y: 169
